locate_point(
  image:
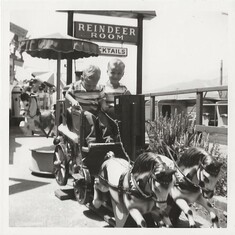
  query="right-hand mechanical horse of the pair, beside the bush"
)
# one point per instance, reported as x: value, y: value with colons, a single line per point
x: 196, y: 178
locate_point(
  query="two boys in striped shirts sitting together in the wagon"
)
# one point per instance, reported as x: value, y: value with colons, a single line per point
x: 95, y: 100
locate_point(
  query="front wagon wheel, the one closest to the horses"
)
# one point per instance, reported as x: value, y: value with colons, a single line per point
x: 82, y: 186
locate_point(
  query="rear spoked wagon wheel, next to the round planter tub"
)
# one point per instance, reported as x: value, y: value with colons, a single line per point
x: 60, y: 166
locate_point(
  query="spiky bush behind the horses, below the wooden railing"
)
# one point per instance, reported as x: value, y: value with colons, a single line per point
x: 171, y: 136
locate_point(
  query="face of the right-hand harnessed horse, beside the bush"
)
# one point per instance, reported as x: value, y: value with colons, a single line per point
x: 208, y: 175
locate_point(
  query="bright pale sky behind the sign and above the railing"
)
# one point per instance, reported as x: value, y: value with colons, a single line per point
x: 182, y: 43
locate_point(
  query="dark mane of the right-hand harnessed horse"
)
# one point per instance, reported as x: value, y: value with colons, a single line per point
x: 195, y: 156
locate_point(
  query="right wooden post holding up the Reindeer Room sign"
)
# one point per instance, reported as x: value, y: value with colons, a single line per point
x: 139, y: 55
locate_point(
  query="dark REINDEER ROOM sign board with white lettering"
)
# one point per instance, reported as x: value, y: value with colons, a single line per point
x: 105, y: 32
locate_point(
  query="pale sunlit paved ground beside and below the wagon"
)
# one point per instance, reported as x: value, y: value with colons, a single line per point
x: 32, y: 200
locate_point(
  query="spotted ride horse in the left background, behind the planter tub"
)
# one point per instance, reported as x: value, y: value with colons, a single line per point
x: 34, y: 117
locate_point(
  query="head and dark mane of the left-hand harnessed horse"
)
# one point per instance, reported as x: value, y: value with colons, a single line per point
x: 153, y: 177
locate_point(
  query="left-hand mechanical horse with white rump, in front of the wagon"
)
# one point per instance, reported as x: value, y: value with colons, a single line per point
x: 136, y: 189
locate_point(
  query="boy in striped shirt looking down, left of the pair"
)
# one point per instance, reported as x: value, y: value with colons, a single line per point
x: 87, y: 95
